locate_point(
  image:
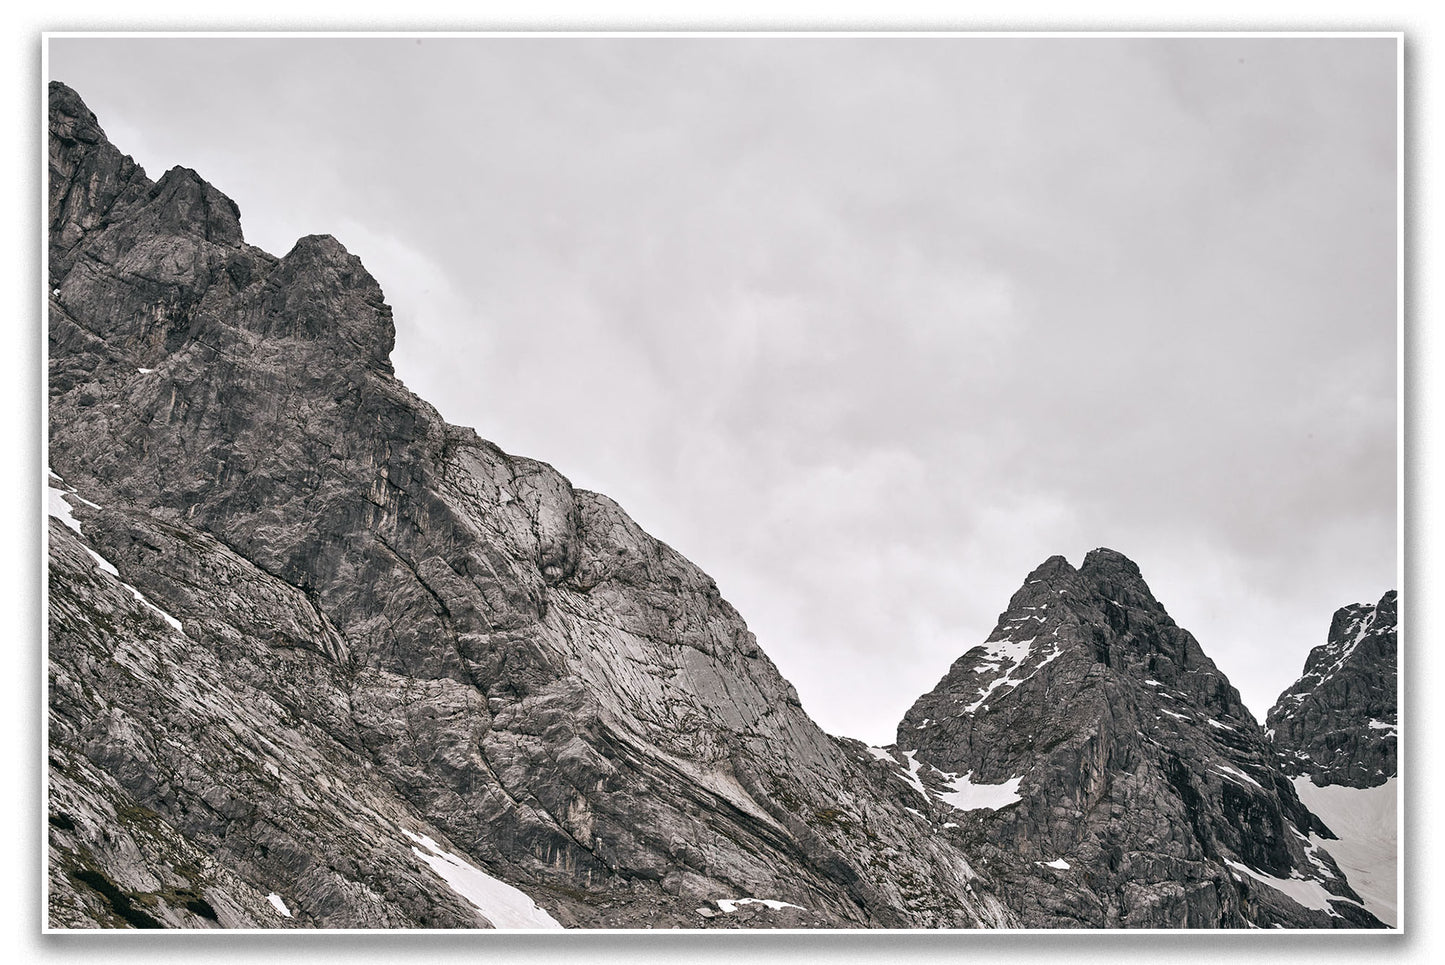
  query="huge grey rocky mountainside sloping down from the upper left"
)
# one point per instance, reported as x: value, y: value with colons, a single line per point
x: 320, y: 659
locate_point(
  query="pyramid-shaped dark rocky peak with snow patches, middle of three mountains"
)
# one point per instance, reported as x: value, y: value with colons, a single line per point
x: 1110, y: 774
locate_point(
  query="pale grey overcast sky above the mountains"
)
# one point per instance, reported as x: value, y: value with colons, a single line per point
x: 868, y: 329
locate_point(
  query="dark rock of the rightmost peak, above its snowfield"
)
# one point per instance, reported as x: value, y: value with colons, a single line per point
x: 1337, y: 723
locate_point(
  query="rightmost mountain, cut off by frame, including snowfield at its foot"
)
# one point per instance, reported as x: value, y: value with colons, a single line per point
x: 1334, y: 732
